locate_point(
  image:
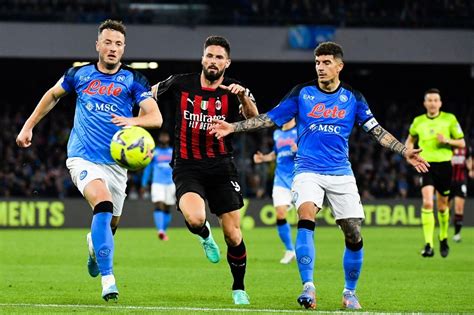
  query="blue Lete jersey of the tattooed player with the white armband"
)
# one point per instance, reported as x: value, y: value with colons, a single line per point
x: 324, y: 121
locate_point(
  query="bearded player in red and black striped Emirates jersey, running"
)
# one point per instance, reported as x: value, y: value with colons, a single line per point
x: 203, y: 166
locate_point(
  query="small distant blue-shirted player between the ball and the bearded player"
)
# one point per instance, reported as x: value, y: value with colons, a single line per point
x: 163, y: 189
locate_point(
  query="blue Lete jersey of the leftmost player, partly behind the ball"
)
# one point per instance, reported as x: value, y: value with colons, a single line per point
x: 98, y: 96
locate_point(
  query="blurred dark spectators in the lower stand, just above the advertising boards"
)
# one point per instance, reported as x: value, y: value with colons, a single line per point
x: 40, y: 170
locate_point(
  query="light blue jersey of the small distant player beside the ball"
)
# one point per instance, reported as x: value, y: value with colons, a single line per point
x: 159, y: 168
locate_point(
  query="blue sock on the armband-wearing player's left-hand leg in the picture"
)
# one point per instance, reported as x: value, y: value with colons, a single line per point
x: 305, y: 253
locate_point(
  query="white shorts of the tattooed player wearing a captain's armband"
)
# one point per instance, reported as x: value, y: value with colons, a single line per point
x: 340, y: 191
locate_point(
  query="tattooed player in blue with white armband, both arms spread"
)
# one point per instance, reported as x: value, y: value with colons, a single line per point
x: 325, y: 110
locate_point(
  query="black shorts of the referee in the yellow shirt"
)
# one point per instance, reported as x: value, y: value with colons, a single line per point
x: 439, y: 176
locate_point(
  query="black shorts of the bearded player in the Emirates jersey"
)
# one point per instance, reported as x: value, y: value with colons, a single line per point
x: 215, y: 180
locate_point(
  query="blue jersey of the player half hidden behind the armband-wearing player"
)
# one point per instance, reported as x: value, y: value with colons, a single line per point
x: 285, y: 157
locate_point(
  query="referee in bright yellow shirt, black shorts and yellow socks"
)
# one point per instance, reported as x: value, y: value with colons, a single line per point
x: 437, y: 133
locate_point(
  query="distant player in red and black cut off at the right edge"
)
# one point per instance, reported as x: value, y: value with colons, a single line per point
x: 462, y: 168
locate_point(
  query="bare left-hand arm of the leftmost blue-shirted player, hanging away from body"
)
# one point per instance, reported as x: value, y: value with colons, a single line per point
x: 47, y: 102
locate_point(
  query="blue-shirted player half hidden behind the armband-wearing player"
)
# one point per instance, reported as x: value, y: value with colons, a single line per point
x: 284, y: 153
